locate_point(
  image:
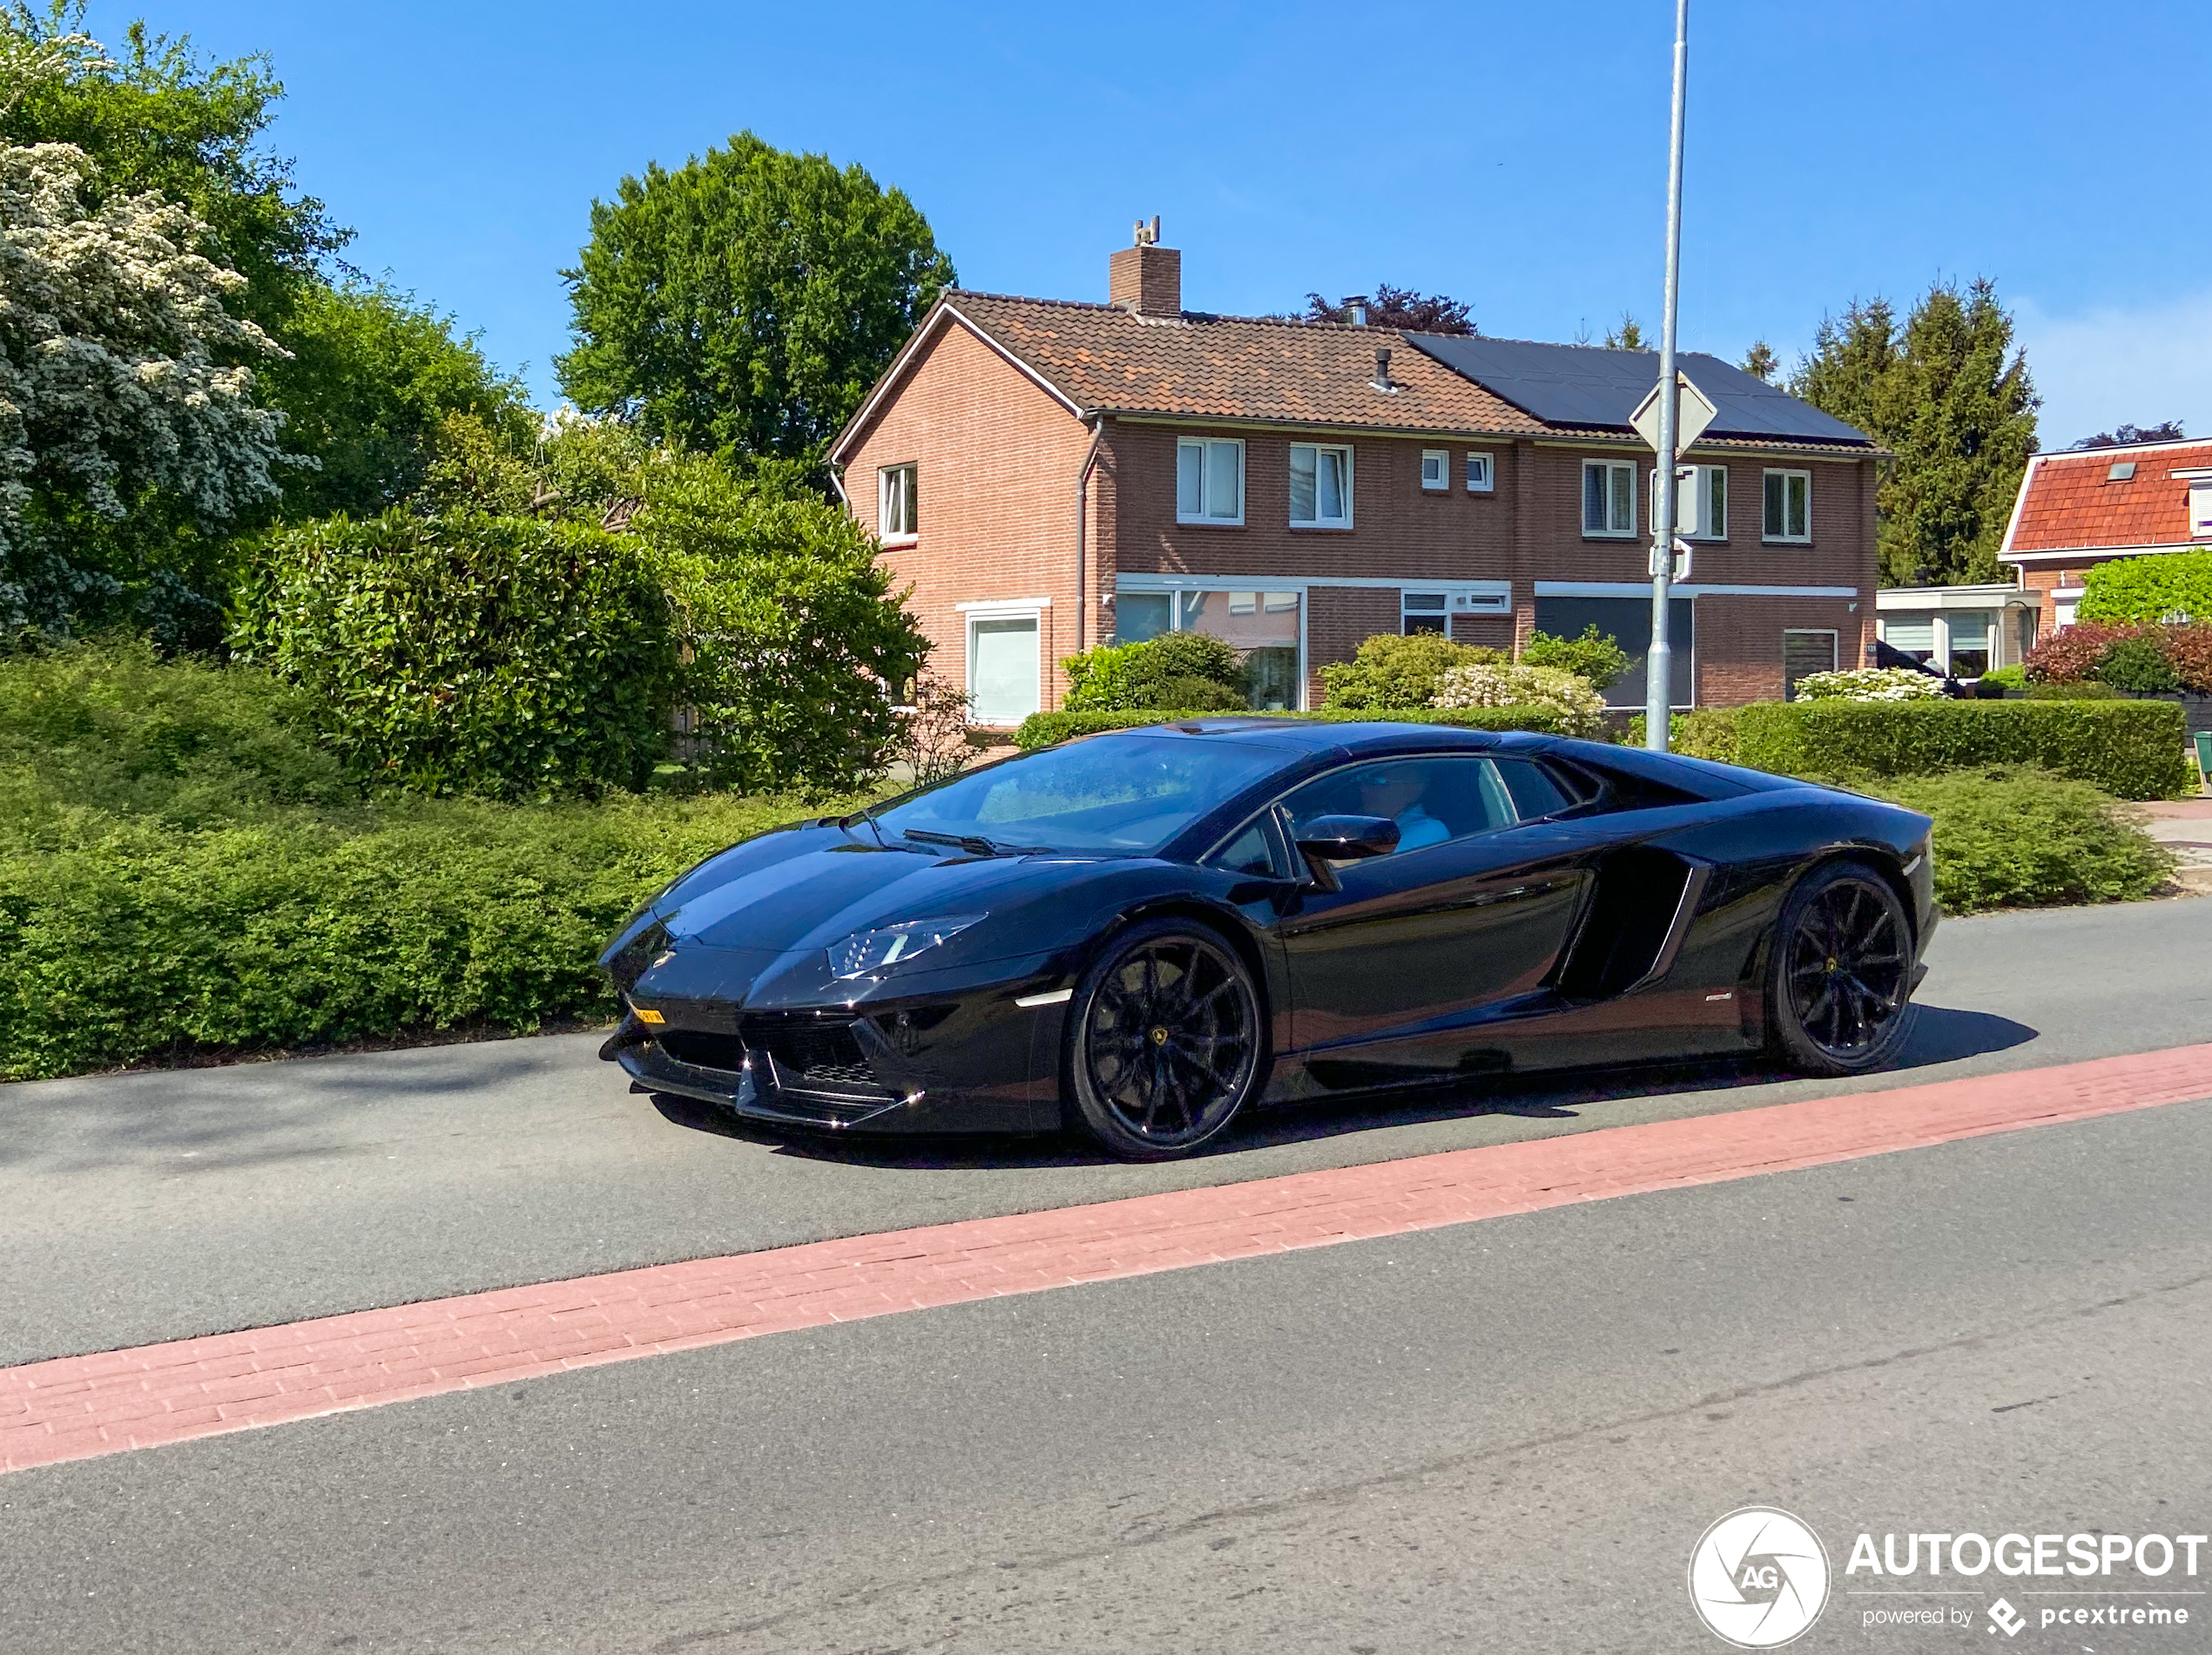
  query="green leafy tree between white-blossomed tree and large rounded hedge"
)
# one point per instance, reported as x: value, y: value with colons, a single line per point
x: 371, y: 386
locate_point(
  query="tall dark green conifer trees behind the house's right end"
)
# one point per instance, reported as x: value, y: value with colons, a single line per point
x: 1952, y: 397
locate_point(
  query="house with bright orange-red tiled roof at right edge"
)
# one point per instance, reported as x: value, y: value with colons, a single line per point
x: 2087, y: 508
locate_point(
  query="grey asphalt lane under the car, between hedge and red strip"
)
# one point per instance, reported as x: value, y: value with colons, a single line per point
x: 167, y: 1205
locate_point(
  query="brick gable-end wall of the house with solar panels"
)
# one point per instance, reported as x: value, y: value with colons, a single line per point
x: 997, y: 497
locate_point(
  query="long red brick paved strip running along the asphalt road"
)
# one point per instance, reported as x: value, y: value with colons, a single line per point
x: 81, y: 1406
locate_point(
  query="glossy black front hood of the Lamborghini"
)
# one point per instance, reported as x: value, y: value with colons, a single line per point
x: 811, y: 886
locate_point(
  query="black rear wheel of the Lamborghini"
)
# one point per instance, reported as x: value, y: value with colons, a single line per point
x: 1844, y: 959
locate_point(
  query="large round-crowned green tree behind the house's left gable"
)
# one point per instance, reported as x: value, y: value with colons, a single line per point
x: 749, y: 300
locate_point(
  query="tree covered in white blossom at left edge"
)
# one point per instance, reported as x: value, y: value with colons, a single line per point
x: 121, y: 371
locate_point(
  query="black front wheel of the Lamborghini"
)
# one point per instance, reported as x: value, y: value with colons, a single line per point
x: 1165, y: 1041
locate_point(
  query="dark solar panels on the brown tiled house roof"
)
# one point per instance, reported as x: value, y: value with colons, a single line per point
x: 1580, y: 386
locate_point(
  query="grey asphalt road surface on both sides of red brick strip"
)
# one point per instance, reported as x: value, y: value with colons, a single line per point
x: 1494, y: 1437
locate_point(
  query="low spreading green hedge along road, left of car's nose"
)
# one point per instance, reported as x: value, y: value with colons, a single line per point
x: 125, y: 939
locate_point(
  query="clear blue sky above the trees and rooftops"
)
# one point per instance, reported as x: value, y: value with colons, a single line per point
x: 1510, y: 156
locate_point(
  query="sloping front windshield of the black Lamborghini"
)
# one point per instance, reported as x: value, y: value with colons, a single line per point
x: 1125, y: 795
